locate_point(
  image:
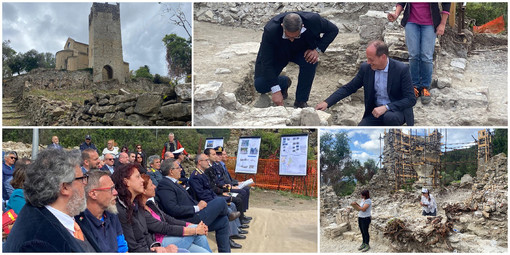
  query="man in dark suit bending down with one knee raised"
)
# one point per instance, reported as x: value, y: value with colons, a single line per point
x: 291, y: 37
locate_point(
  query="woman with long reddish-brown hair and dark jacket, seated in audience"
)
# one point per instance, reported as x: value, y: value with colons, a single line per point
x: 129, y: 184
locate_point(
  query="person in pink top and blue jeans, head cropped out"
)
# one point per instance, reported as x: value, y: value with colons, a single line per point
x: 422, y: 22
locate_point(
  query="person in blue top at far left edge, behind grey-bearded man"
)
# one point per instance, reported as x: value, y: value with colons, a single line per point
x: 17, y: 199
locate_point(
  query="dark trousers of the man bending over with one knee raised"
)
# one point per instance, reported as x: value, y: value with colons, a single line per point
x: 305, y: 78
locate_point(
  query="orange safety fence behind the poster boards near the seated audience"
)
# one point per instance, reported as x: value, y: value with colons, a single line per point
x: 267, y: 177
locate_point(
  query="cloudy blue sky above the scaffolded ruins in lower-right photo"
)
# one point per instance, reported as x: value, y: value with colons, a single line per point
x: 364, y: 143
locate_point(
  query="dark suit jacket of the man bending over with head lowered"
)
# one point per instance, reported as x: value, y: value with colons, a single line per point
x: 274, y: 49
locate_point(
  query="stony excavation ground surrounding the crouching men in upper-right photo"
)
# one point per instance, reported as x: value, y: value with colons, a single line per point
x: 469, y: 86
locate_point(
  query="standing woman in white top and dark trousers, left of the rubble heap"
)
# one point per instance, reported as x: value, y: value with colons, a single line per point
x: 364, y: 218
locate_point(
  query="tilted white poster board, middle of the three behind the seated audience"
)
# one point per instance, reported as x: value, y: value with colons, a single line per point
x: 248, y: 155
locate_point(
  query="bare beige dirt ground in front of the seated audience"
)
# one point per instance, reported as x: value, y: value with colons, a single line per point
x: 281, y: 223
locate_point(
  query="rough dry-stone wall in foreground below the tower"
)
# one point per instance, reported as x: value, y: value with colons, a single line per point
x: 170, y: 108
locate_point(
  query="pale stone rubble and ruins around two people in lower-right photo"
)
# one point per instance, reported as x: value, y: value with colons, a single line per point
x: 475, y: 222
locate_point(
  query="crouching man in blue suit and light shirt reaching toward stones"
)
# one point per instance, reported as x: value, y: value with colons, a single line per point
x: 389, y: 93
